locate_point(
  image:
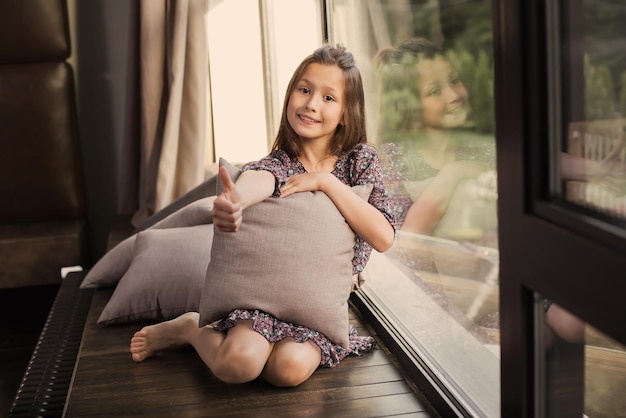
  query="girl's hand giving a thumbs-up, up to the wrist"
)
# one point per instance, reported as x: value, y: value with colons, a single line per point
x: 227, y: 210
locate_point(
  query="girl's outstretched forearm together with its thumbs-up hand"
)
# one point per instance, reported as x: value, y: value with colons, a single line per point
x: 251, y: 187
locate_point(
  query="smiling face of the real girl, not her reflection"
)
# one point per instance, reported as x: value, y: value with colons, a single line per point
x: 316, y: 105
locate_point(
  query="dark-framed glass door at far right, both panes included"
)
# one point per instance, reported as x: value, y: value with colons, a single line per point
x: 560, y: 84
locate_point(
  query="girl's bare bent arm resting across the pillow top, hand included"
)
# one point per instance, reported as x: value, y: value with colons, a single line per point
x: 367, y: 221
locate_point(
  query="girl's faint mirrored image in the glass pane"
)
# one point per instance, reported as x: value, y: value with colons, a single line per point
x: 422, y: 101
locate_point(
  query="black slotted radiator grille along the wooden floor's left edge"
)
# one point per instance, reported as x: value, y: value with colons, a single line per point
x: 46, y: 382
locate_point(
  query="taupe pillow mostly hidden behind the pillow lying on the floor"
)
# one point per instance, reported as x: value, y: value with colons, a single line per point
x: 108, y: 271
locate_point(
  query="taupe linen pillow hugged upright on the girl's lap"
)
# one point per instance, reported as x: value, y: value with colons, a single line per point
x: 292, y: 258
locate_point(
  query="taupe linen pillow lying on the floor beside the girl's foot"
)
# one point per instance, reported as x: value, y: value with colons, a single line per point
x: 165, y: 278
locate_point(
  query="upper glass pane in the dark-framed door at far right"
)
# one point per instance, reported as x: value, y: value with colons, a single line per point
x: 588, y: 67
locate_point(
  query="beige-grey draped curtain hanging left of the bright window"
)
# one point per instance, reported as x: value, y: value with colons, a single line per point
x: 174, y: 110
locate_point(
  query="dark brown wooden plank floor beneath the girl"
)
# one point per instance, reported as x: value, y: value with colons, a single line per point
x: 177, y: 384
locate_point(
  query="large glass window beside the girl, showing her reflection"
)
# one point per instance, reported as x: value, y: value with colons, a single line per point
x: 428, y: 71
